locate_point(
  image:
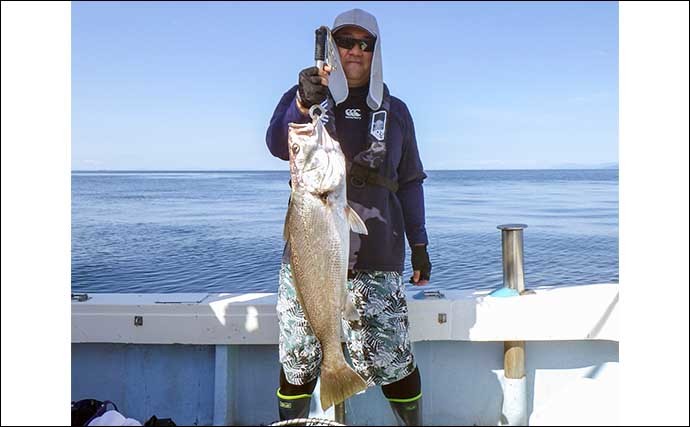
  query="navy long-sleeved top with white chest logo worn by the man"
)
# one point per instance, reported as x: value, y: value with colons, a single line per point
x: 387, y: 215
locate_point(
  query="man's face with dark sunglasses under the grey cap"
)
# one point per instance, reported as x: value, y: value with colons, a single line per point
x: 355, y: 61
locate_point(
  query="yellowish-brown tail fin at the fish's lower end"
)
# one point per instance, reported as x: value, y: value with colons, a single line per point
x: 338, y: 382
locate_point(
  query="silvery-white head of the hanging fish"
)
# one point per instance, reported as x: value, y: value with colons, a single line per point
x: 317, y: 164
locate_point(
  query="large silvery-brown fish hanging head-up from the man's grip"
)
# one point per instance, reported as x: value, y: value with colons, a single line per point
x: 317, y: 227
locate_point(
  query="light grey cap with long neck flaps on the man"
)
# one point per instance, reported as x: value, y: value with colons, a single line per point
x: 338, y: 81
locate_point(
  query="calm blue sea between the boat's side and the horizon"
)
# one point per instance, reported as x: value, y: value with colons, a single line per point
x: 222, y: 231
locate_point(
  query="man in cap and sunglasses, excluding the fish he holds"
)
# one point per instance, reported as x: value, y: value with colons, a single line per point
x: 384, y: 186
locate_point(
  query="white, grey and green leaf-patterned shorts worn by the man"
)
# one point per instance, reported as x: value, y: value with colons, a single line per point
x: 378, y: 342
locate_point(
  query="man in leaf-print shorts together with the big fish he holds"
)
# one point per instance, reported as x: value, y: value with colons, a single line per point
x: 356, y: 194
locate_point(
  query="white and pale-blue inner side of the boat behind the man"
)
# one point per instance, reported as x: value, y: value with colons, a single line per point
x: 212, y: 359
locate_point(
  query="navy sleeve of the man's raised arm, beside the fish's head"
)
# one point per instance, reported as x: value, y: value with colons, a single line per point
x: 286, y: 112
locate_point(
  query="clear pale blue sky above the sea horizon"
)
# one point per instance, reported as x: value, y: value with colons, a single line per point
x: 193, y: 85
